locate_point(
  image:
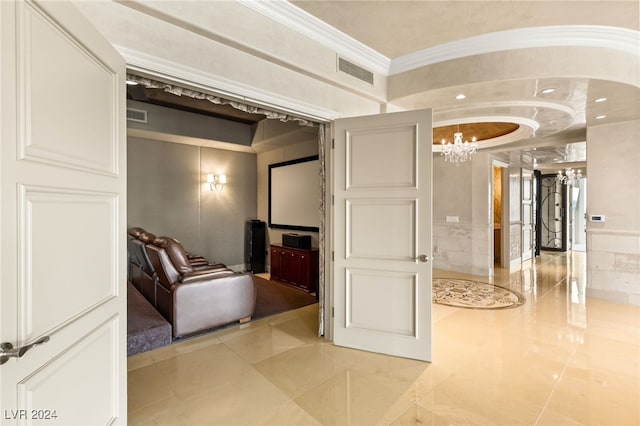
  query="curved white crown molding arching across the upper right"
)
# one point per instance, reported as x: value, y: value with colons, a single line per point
x: 614, y: 38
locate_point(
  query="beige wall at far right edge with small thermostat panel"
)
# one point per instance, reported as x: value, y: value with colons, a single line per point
x: 613, y: 190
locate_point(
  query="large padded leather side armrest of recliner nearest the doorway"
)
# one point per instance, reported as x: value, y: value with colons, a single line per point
x: 206, y: 303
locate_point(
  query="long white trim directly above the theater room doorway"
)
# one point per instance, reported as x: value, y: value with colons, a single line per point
x: 169, y: 71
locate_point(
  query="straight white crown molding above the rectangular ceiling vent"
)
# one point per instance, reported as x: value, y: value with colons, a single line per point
x: 308, y: 25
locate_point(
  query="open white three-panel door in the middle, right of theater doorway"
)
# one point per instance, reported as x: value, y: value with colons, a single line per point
x: 382, y: 233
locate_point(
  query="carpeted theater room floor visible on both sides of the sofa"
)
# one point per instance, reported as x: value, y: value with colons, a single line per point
x: 147, y: 330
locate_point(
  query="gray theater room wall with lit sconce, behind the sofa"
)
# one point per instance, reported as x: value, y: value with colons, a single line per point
x: 168, y: 195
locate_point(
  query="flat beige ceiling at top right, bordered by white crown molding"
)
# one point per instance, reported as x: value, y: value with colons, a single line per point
x: 396, y: 27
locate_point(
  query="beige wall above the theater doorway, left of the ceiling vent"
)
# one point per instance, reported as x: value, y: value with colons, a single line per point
x: 213, y: 49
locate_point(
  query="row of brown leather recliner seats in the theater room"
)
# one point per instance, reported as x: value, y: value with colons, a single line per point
x: 193, y: 294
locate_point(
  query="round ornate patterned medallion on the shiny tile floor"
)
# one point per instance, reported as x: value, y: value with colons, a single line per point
x: 473, y: 294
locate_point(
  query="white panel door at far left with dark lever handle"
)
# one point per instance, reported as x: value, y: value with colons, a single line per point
x: 63, y: 252
